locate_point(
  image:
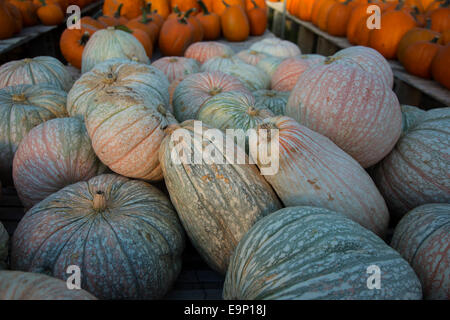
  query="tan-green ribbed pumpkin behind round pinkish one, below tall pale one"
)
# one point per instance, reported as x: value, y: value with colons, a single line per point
x: 118, y: 75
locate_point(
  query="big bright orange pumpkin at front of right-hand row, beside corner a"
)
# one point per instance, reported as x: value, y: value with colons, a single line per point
x: 394, y: 25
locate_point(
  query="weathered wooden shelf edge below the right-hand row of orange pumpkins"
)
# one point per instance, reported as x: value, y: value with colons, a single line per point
x: 410, y: 89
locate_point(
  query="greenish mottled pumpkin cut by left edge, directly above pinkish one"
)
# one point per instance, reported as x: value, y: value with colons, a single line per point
x: 23, y: 107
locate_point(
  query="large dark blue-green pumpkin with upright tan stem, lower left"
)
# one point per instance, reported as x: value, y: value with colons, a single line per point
x: 130, y: 250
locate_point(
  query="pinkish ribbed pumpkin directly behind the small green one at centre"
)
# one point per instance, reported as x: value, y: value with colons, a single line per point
x: 197, y: 88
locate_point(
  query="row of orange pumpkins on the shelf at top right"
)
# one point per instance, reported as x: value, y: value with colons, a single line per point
x: 413, y: 31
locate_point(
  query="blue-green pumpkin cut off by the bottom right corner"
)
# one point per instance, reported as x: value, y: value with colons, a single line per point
x: 422, y: 237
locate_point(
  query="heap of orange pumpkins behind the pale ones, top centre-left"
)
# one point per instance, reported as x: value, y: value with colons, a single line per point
x: 172, y: 25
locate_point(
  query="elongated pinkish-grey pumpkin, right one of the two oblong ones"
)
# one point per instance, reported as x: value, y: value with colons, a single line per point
x: 313, y: 171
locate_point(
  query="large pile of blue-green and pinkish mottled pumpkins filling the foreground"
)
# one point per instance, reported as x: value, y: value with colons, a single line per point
x: 86, y: 158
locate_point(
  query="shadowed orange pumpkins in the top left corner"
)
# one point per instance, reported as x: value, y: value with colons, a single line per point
x: 17, y: 14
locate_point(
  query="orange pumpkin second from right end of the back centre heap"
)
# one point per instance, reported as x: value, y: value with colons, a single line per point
x: 234, y: 22
